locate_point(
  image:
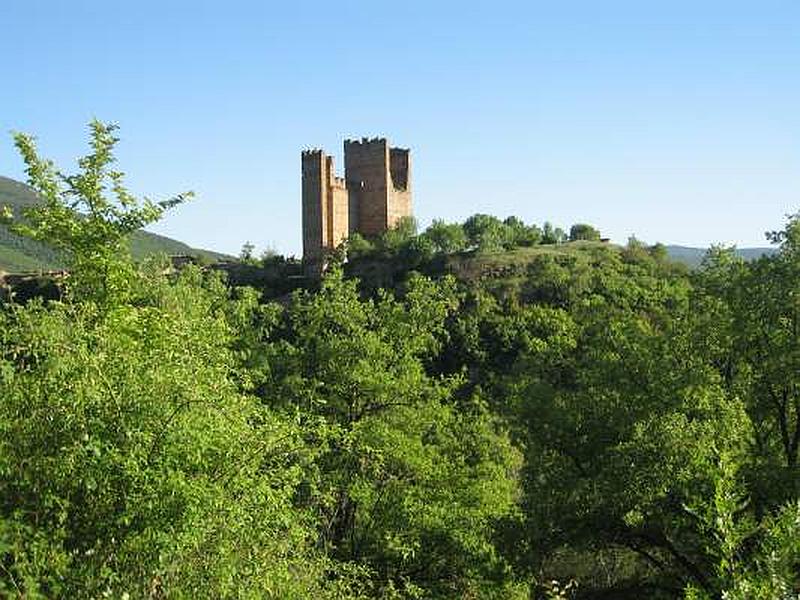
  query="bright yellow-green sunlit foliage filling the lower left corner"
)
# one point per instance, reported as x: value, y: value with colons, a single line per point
x: 131, y: 464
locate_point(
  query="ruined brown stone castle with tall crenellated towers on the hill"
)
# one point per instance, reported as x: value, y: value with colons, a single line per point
x: 373, y: 195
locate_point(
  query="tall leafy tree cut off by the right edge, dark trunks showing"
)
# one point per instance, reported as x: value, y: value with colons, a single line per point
x: 759, y: 358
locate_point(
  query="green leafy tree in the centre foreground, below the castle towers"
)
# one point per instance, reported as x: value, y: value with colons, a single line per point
x: 412, y: 485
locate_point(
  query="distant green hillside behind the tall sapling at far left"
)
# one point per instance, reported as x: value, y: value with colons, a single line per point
x: 20, y: 254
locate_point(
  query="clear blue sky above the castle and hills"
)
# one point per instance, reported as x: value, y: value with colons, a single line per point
x: 673, y: 121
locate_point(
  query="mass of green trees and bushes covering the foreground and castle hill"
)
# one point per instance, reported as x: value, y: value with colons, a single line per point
x: 492, y: 419
